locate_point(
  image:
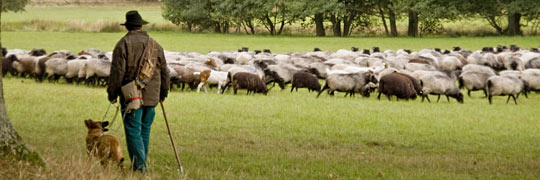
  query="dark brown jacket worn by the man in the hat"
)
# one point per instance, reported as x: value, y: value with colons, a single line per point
x: 126, y: 56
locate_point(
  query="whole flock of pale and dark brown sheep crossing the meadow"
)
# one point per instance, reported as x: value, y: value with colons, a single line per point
x: 497, y: 71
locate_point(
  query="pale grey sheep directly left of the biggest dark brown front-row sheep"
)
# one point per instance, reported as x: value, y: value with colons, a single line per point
x: 350, y: 83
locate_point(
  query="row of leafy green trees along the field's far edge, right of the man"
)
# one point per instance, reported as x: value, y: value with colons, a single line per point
x: 343, y: 17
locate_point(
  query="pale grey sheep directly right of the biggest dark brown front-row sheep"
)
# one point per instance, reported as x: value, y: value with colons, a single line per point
x: 437, y: 84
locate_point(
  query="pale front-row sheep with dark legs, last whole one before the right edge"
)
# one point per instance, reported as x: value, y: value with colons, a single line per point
x: 505, y: 86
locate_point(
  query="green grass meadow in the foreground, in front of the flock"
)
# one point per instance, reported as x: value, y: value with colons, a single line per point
x: 290, y: 135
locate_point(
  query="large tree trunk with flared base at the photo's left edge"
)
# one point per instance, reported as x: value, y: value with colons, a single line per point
x: 11, y: 144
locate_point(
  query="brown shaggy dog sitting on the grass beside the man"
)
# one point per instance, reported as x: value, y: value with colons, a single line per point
x: 104, y: 147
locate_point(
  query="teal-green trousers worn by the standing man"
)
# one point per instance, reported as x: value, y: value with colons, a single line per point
x: 137, y: 125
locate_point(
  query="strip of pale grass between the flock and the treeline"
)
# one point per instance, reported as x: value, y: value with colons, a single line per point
x: 204, y: 43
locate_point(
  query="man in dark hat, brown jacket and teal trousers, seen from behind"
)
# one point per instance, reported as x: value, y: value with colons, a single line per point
x: 126, y: 56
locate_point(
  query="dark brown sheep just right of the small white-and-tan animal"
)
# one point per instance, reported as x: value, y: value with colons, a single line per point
x: 249, y: 81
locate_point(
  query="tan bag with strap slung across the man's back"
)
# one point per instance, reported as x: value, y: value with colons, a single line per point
x: 133, y: 90
